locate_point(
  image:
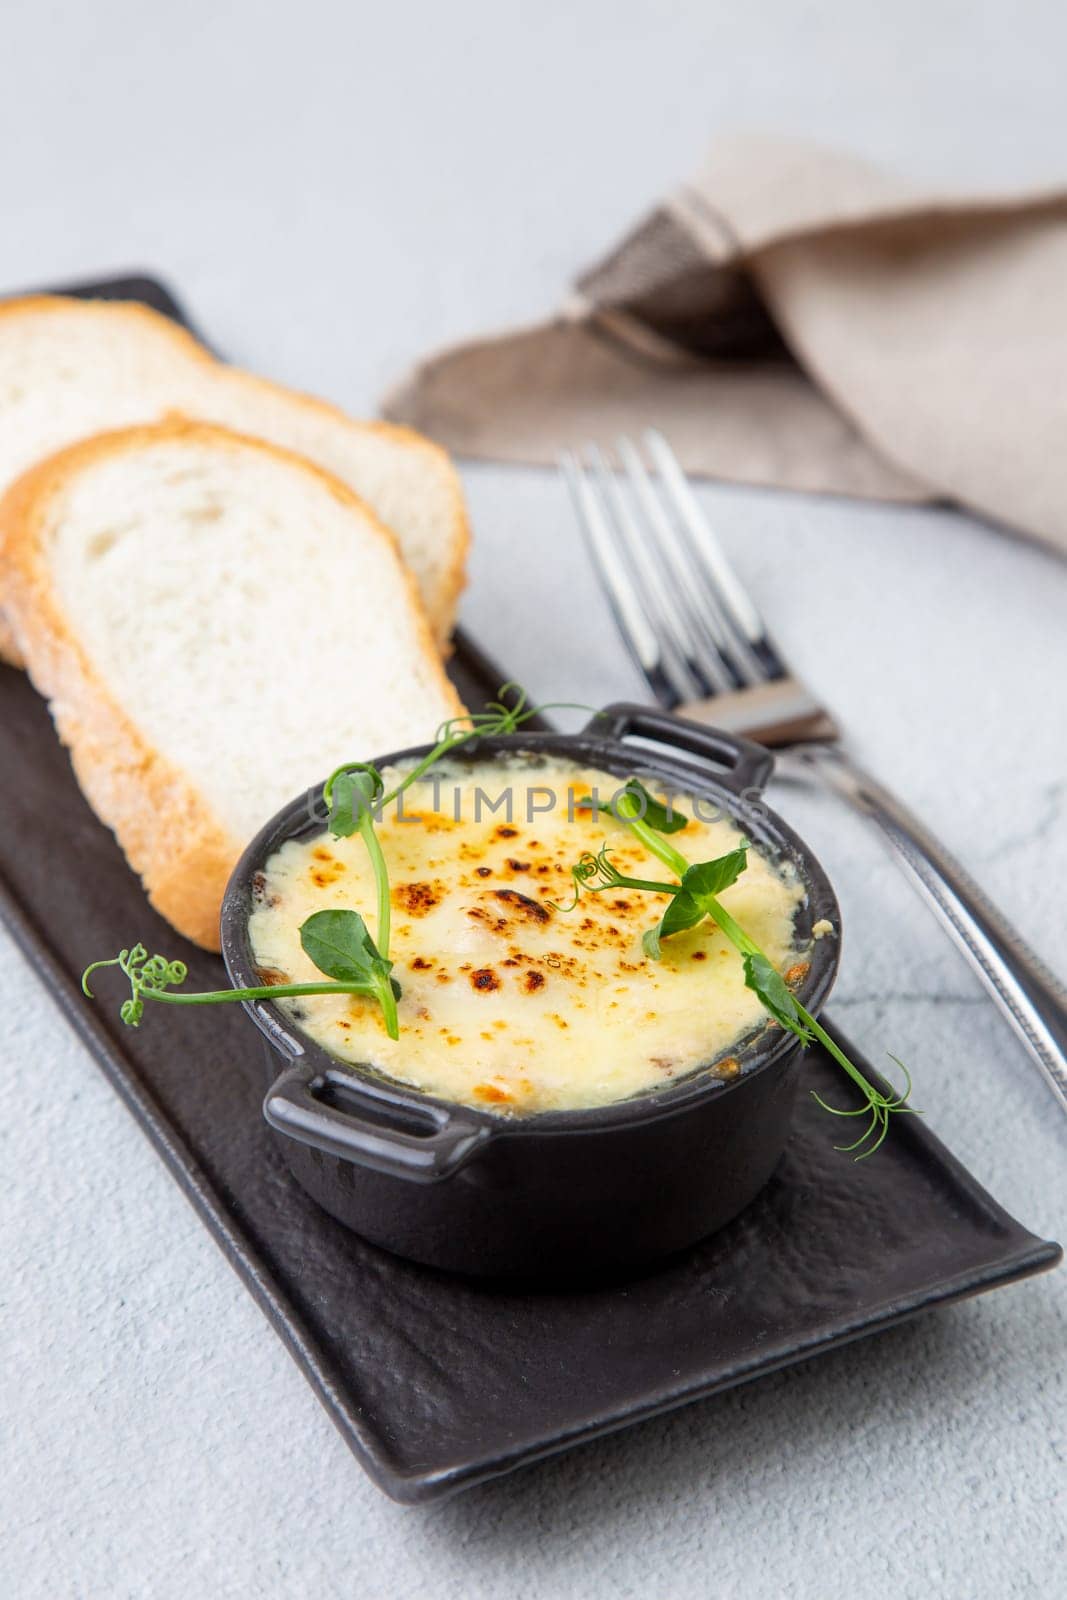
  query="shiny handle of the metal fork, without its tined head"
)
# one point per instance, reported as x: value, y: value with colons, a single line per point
x: 1028, y: 993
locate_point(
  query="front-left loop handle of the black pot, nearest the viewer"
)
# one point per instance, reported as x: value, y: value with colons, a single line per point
x: 370, y: 1134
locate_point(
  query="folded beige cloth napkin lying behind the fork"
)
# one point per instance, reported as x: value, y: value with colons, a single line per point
x: 796, y: 318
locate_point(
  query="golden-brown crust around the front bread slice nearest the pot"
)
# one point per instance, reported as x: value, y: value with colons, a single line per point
x: 166, y: 828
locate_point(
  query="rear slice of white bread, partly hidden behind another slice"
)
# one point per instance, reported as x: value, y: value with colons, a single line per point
x: 71, y: 369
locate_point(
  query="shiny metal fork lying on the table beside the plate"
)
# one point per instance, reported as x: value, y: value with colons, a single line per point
x: 706, y: 654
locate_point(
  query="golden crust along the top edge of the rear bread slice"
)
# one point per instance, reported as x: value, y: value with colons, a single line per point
x: 442, y: 610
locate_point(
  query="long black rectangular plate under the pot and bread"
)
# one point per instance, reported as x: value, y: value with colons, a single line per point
x: 438, y: 1383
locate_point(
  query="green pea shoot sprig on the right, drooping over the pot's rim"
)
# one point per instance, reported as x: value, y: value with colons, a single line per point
x: 695, y: 898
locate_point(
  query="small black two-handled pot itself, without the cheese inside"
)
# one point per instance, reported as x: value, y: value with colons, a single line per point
x: 562, y: 1194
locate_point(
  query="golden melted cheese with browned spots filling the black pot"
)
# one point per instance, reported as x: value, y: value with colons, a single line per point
x: 511, y: 1004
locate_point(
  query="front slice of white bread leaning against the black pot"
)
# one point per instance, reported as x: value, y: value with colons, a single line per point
x: 217, y: 625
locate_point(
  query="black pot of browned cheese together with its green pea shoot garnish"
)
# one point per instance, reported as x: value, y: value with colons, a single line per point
x: 633, y: 1065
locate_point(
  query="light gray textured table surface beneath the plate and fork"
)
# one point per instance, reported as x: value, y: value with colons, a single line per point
x: 335, y: 190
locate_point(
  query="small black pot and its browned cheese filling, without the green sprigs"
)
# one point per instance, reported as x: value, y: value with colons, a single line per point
x: 588, y: 1145
